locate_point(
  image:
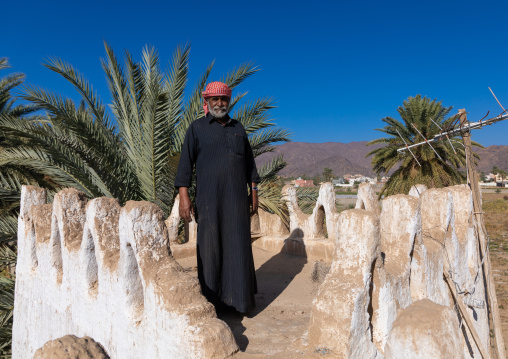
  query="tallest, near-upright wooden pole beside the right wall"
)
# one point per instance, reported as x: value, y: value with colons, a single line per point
x: 481, y: 233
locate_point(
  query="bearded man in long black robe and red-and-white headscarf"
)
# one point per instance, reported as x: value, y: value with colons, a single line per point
x: 219, y: 148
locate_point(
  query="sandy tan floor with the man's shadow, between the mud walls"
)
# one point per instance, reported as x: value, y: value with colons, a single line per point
x: 283, y: 303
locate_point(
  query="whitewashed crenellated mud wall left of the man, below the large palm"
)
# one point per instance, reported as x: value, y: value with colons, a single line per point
x: 93, y: 268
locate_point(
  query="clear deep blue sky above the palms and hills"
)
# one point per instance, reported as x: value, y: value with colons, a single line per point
x: 335, y: 68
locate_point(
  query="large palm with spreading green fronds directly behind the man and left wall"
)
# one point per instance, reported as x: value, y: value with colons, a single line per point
x: 131, y: 152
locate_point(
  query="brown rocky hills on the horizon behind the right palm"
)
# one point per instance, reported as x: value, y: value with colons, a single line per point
x: 343, y: 158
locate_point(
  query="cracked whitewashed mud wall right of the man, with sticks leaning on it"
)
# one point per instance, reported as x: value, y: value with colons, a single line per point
x: 385, y: 294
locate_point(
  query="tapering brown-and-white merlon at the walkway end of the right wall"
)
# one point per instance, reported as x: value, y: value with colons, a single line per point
x: 341, y: 304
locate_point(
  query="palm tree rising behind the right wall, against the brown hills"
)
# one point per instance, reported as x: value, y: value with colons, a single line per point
x: 426, y: 167
